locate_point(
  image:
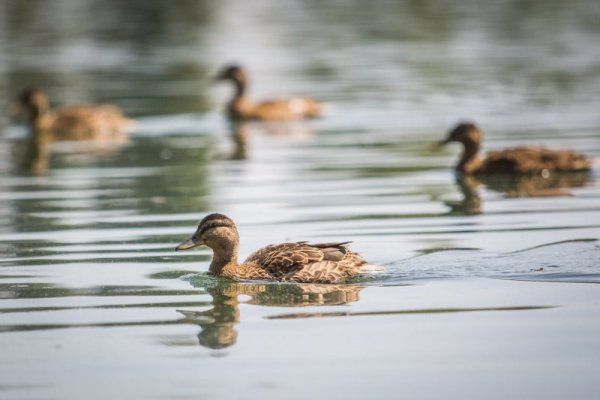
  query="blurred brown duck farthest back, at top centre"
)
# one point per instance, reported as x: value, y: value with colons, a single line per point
x: 240, y: 108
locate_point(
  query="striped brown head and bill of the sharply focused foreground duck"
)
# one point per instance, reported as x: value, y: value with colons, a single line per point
x: 216, y: 231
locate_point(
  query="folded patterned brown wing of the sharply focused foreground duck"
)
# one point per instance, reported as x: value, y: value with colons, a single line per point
x: 282, y: 260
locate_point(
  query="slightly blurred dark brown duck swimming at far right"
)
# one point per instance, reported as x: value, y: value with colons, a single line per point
x: 518, y: 160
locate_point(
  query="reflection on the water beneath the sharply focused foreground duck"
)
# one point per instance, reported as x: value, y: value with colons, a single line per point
x: 218, y: 323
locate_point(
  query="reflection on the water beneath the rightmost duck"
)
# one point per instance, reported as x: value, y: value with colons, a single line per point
x: 553, y: 185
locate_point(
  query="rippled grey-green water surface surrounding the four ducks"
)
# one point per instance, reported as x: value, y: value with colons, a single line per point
x: 490, y: 288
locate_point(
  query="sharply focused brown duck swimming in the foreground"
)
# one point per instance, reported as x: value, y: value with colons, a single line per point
x: 291, y: 262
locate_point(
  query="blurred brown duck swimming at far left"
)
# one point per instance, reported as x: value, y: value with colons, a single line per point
x: 85, y: 122
